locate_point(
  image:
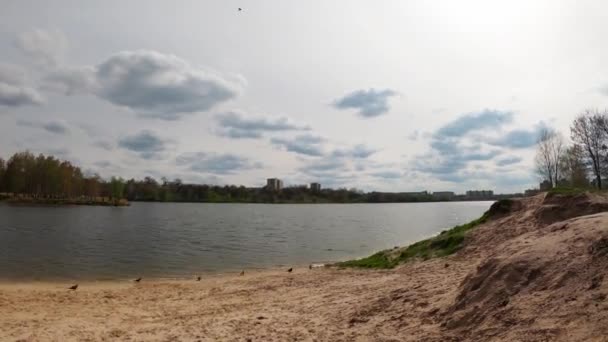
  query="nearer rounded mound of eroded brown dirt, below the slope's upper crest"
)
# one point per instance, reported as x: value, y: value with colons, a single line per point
x: 548, y: 283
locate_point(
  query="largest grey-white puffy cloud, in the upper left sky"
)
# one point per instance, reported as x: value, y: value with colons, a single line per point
x: 160, y: 85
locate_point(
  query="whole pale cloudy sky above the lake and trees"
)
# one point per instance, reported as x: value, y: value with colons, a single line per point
x: 377, y: 95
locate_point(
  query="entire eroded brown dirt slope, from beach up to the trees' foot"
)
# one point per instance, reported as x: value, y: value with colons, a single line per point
x: 538, y: 273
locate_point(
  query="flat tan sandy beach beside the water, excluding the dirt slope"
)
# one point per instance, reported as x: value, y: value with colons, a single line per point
x: 306, y: 305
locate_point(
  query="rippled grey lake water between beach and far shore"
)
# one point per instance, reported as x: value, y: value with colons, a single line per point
x: 183, y: 239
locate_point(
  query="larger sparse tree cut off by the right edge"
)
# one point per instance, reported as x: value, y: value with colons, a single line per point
x: 588, y: 131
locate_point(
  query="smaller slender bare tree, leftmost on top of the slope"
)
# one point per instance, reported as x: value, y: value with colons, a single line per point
x: 549, y: 154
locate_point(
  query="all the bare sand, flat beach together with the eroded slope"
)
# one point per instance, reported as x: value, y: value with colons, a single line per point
x: 524, y: 276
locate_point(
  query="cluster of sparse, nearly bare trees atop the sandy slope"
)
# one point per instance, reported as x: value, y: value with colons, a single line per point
x: 581, y: 164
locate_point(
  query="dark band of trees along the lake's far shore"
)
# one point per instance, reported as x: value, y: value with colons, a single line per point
x: 46, y: 177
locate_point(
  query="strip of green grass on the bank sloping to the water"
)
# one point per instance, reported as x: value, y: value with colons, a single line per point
x: 446, y: 243
